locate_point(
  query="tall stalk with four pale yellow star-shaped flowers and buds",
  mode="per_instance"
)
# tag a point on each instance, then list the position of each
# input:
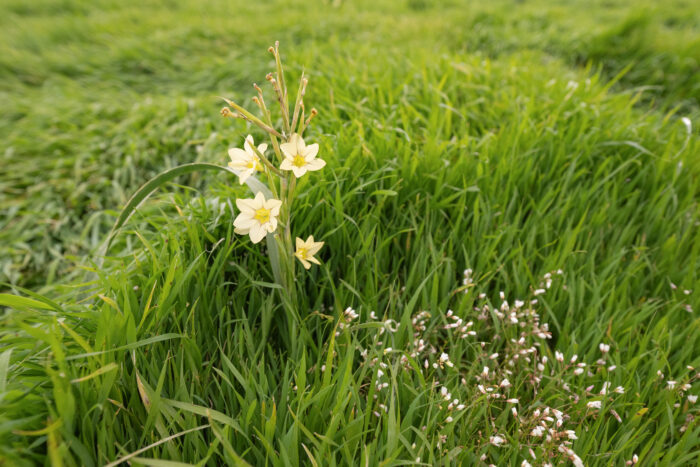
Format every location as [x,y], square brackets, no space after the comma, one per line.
[291,158]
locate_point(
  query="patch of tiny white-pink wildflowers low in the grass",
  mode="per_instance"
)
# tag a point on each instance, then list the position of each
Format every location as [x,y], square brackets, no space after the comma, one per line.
[534,397]
